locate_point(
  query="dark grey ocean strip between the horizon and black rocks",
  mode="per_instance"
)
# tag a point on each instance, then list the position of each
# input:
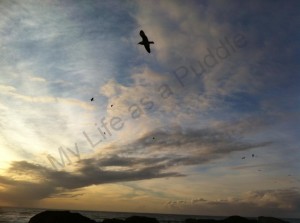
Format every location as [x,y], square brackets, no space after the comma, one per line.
[22,215]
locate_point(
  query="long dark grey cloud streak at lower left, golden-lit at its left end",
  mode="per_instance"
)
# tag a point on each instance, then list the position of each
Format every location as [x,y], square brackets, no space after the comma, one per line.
[45,182]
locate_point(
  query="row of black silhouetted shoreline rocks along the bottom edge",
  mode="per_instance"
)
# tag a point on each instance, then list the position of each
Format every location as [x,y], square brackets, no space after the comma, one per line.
[70,217]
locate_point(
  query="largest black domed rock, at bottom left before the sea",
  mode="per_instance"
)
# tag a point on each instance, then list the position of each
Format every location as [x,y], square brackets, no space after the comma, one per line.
[60,217]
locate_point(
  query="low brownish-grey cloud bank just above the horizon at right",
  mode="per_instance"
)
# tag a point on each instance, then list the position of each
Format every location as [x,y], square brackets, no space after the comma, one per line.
[276,202]
